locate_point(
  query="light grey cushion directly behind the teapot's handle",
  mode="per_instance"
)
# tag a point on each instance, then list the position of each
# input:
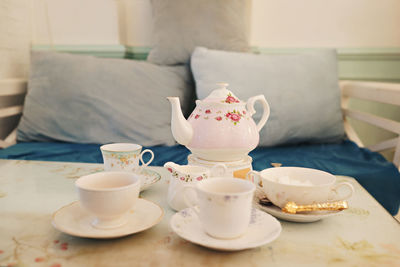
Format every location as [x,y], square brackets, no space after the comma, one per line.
[301,89]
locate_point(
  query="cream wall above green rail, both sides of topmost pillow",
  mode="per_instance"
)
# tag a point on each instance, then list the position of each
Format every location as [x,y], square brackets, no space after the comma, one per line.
[275,23]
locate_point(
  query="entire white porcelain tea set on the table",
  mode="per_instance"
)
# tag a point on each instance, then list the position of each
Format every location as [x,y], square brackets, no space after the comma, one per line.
[216,195]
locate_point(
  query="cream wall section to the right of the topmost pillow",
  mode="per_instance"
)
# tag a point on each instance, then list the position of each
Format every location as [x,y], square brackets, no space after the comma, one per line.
[326,23]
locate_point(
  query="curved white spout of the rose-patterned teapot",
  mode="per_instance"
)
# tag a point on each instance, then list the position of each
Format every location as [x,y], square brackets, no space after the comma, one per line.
[181,129]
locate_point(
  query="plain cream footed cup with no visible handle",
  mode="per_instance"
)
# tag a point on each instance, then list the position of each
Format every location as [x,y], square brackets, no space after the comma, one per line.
[108,196]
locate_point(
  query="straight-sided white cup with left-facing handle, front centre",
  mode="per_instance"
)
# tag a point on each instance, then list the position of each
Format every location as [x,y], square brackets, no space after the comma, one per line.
[223,205]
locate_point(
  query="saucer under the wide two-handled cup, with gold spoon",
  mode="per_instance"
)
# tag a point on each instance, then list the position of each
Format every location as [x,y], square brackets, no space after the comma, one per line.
[303,217]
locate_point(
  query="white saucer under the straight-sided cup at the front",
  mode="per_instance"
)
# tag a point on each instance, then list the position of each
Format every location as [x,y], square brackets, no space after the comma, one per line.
[263,229]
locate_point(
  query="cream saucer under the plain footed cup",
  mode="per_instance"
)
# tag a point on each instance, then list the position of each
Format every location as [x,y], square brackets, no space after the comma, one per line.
[73,220]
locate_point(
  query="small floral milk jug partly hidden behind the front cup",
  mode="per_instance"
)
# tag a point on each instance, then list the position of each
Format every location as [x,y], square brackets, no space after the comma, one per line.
[182,175]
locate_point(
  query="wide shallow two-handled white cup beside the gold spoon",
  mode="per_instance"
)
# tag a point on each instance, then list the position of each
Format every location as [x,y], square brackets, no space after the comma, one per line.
[302,185]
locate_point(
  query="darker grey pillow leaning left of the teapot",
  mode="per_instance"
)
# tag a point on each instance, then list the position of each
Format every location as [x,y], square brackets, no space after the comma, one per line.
[84,99]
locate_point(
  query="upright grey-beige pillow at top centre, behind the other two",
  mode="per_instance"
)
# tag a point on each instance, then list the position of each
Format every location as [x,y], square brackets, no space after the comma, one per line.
[181,25]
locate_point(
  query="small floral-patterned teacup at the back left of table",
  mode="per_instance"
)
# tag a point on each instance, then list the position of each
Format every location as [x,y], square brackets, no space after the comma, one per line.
[124,157]
